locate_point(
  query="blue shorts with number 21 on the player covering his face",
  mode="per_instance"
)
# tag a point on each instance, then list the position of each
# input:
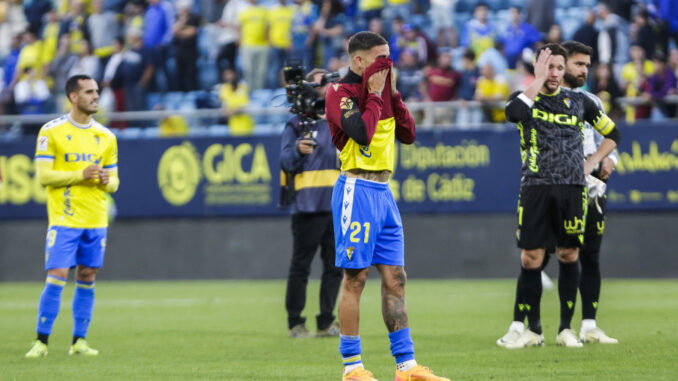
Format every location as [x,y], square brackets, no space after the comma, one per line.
[367,225]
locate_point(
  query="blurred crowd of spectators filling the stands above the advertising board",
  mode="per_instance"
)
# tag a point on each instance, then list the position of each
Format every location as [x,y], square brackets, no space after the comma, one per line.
[443,50]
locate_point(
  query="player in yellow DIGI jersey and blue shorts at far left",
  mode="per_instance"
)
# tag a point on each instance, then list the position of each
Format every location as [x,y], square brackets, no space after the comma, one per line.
[77,159]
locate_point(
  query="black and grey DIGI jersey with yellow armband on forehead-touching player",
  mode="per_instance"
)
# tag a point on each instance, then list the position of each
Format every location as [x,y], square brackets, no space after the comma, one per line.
[552,134]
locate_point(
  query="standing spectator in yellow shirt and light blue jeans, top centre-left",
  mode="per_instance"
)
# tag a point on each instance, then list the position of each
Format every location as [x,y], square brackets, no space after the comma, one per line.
[254,44]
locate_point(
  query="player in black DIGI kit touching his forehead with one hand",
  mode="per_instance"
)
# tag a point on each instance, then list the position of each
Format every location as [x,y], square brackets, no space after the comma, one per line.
[553,199]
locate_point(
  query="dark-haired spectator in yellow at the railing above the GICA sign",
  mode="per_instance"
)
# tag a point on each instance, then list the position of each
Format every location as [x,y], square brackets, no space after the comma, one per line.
[234,96]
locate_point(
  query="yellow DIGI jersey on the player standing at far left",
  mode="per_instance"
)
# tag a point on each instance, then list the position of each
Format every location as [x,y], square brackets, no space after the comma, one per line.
[73,147]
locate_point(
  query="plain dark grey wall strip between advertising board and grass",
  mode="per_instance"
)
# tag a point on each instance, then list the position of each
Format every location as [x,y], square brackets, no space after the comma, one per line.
[636,245]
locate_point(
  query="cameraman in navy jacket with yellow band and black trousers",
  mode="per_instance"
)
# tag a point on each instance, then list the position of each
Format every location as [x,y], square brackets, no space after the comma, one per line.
[309,160]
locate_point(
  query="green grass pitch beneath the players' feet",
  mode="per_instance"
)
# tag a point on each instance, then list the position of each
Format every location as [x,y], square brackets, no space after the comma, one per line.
[236,330]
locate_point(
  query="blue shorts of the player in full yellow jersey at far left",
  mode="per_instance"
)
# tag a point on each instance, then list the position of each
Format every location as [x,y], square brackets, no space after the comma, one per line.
[66,247]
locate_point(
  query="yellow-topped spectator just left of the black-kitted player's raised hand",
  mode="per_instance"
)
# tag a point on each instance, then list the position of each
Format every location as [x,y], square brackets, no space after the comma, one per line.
[491,89]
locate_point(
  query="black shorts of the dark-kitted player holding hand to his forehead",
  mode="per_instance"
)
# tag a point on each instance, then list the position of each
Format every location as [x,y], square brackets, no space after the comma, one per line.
[551,213]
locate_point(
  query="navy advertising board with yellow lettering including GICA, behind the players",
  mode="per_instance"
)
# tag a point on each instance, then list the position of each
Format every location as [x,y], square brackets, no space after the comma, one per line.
[443,172]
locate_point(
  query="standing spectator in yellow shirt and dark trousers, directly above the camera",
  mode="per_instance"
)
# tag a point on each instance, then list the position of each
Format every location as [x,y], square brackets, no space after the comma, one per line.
[280,35]
